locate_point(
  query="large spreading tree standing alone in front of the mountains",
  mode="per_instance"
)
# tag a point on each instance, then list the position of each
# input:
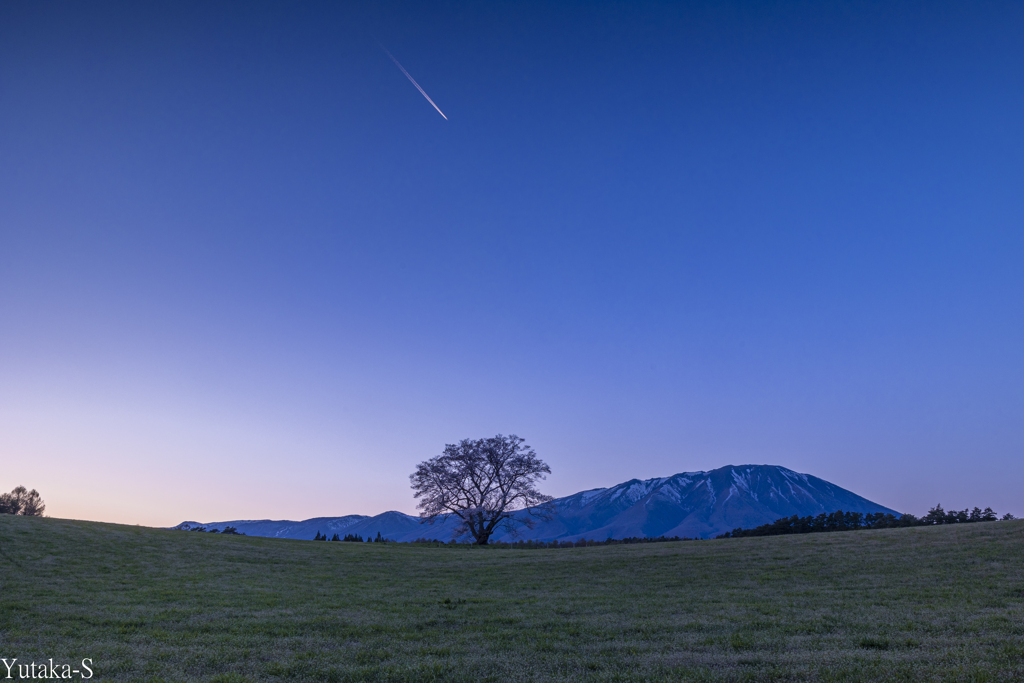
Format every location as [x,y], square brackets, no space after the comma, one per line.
[484,483]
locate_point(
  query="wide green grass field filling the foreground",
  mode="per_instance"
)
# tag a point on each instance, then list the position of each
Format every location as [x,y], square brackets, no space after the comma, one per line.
[914,605]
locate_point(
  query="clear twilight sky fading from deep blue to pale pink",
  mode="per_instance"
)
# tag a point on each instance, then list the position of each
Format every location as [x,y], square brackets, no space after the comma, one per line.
[248,272]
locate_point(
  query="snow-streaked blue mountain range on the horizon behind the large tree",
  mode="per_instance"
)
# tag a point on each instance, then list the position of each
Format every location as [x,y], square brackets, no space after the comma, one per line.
[691,504]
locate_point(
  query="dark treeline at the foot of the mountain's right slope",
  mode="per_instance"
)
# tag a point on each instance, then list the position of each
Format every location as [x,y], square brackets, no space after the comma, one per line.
[852,522]
